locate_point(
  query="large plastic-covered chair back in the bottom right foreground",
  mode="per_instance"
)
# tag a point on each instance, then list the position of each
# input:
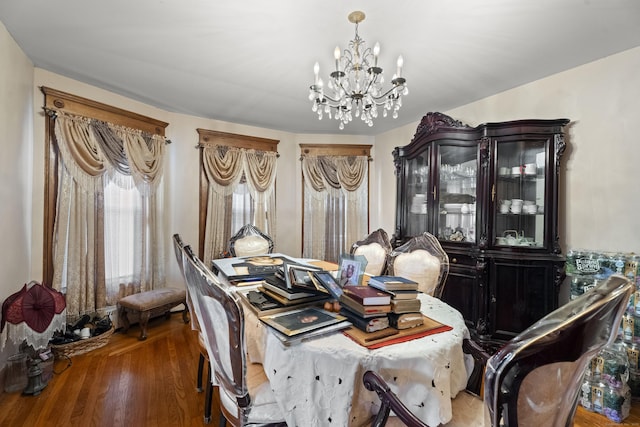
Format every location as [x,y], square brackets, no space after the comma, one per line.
[535,379]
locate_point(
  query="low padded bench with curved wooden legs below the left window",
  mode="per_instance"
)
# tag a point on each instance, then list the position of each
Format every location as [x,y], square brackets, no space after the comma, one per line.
[150,304]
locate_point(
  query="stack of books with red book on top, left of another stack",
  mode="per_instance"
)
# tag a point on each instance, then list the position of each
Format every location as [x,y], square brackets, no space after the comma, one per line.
[365,307]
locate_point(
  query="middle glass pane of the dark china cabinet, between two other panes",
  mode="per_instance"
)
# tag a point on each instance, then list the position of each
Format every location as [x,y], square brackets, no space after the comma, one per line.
[458,173]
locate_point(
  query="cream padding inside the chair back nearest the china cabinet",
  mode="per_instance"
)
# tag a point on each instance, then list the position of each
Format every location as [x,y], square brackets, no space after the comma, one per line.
[419,266]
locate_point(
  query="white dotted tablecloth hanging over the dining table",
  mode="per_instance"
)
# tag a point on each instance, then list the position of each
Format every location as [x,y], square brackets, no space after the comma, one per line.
[319,382]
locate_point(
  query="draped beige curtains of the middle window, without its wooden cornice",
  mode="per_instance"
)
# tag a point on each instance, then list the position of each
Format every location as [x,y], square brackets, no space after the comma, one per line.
[232,173]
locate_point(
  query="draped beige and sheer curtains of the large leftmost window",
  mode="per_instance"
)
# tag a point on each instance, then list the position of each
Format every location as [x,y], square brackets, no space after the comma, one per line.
[107,238]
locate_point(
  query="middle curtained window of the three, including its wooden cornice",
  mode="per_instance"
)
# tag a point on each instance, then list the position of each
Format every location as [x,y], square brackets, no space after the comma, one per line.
[237,187]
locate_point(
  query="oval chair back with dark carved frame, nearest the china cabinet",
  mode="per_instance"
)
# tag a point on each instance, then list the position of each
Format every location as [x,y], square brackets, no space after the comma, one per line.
[422,260]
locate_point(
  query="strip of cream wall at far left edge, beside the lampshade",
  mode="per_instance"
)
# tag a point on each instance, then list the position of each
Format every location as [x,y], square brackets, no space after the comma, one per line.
[16,105]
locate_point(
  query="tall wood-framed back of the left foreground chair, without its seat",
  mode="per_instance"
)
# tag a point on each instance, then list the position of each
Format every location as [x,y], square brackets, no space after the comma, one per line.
[221,319]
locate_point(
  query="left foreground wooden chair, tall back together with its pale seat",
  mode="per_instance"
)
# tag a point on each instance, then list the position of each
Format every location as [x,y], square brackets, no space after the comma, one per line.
[245,394]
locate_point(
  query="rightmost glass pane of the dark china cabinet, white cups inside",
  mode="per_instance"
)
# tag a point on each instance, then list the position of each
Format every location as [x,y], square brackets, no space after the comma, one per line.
[520,193]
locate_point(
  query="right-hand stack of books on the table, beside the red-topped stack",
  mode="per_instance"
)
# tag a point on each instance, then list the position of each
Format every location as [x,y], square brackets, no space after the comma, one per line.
[405,305]
